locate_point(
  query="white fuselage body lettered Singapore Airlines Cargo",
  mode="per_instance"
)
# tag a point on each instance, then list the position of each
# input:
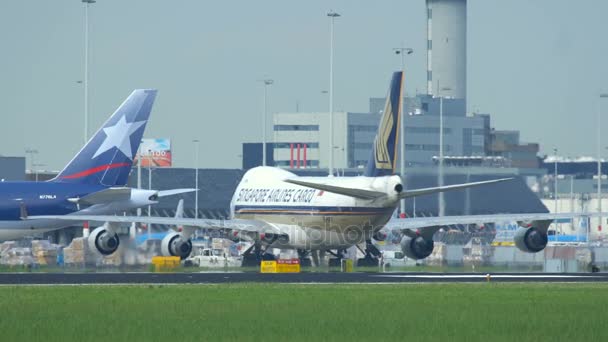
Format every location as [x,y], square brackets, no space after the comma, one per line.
[313,219]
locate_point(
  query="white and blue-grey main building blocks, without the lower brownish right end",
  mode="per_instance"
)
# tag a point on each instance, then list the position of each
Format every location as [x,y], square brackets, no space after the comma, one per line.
[355,132]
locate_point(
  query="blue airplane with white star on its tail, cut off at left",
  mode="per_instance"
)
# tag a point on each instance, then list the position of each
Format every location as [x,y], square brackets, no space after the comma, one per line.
[92,183]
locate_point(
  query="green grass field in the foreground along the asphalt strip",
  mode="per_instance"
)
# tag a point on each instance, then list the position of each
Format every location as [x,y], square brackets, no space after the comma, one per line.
[245,312]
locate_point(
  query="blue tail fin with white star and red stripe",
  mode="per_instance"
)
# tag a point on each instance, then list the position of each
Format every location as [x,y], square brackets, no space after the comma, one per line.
[107,157]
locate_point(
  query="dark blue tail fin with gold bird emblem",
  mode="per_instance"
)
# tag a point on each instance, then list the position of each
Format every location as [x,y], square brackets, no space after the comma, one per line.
[383,158]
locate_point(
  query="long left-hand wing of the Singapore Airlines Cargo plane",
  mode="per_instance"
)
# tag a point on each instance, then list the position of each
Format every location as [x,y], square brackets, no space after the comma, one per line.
[254,226]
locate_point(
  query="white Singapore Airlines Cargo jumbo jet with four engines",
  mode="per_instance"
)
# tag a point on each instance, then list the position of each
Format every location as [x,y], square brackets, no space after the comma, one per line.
[278,209]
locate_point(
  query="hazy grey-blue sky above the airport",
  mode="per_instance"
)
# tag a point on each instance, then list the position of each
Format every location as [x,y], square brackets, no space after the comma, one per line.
[535,65]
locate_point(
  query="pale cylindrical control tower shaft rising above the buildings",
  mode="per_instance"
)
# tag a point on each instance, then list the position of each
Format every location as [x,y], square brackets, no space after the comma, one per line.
[447,48]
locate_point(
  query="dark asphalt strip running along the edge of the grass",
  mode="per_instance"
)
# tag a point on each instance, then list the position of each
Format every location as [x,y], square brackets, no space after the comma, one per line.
[303,278]
